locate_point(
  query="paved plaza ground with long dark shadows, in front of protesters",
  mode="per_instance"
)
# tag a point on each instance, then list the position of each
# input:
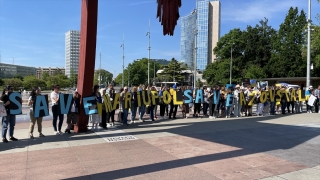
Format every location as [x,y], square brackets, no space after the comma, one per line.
[273,147]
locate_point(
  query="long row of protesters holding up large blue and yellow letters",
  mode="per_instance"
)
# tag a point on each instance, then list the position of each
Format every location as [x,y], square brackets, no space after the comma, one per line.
[209,108]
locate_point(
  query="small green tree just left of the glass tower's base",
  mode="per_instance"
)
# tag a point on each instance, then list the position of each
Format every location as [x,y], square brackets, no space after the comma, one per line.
[173,72]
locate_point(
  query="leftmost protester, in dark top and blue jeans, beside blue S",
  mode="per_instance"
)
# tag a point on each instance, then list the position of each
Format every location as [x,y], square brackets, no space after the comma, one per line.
[9,121]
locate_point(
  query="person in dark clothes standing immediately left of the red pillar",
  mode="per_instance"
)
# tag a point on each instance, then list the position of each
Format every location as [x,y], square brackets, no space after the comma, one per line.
[73,116]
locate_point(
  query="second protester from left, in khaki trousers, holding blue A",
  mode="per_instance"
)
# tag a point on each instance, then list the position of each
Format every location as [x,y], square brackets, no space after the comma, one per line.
[35,92]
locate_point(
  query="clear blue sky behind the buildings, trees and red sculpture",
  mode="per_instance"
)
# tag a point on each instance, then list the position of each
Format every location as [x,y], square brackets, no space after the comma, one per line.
[33,31]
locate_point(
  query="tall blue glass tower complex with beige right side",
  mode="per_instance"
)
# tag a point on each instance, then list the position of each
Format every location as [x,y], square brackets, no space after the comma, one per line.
[208,33]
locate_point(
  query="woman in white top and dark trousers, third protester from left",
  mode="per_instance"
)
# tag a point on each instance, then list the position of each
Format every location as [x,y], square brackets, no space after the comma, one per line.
[55,110]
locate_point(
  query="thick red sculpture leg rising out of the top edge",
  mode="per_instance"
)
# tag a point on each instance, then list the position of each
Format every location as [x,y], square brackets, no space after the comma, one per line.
[88,38]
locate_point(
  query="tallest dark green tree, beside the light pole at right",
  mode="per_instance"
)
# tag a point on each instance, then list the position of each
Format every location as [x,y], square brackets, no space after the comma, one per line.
[286,60]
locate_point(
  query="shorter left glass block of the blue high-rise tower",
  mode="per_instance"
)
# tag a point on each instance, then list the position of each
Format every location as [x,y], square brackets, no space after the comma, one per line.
[187,45]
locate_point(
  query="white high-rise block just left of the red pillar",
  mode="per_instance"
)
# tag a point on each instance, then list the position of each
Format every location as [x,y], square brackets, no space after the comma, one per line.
[72,50]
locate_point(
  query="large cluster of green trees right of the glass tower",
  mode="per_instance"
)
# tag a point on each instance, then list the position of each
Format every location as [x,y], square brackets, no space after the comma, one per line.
[261,51]
